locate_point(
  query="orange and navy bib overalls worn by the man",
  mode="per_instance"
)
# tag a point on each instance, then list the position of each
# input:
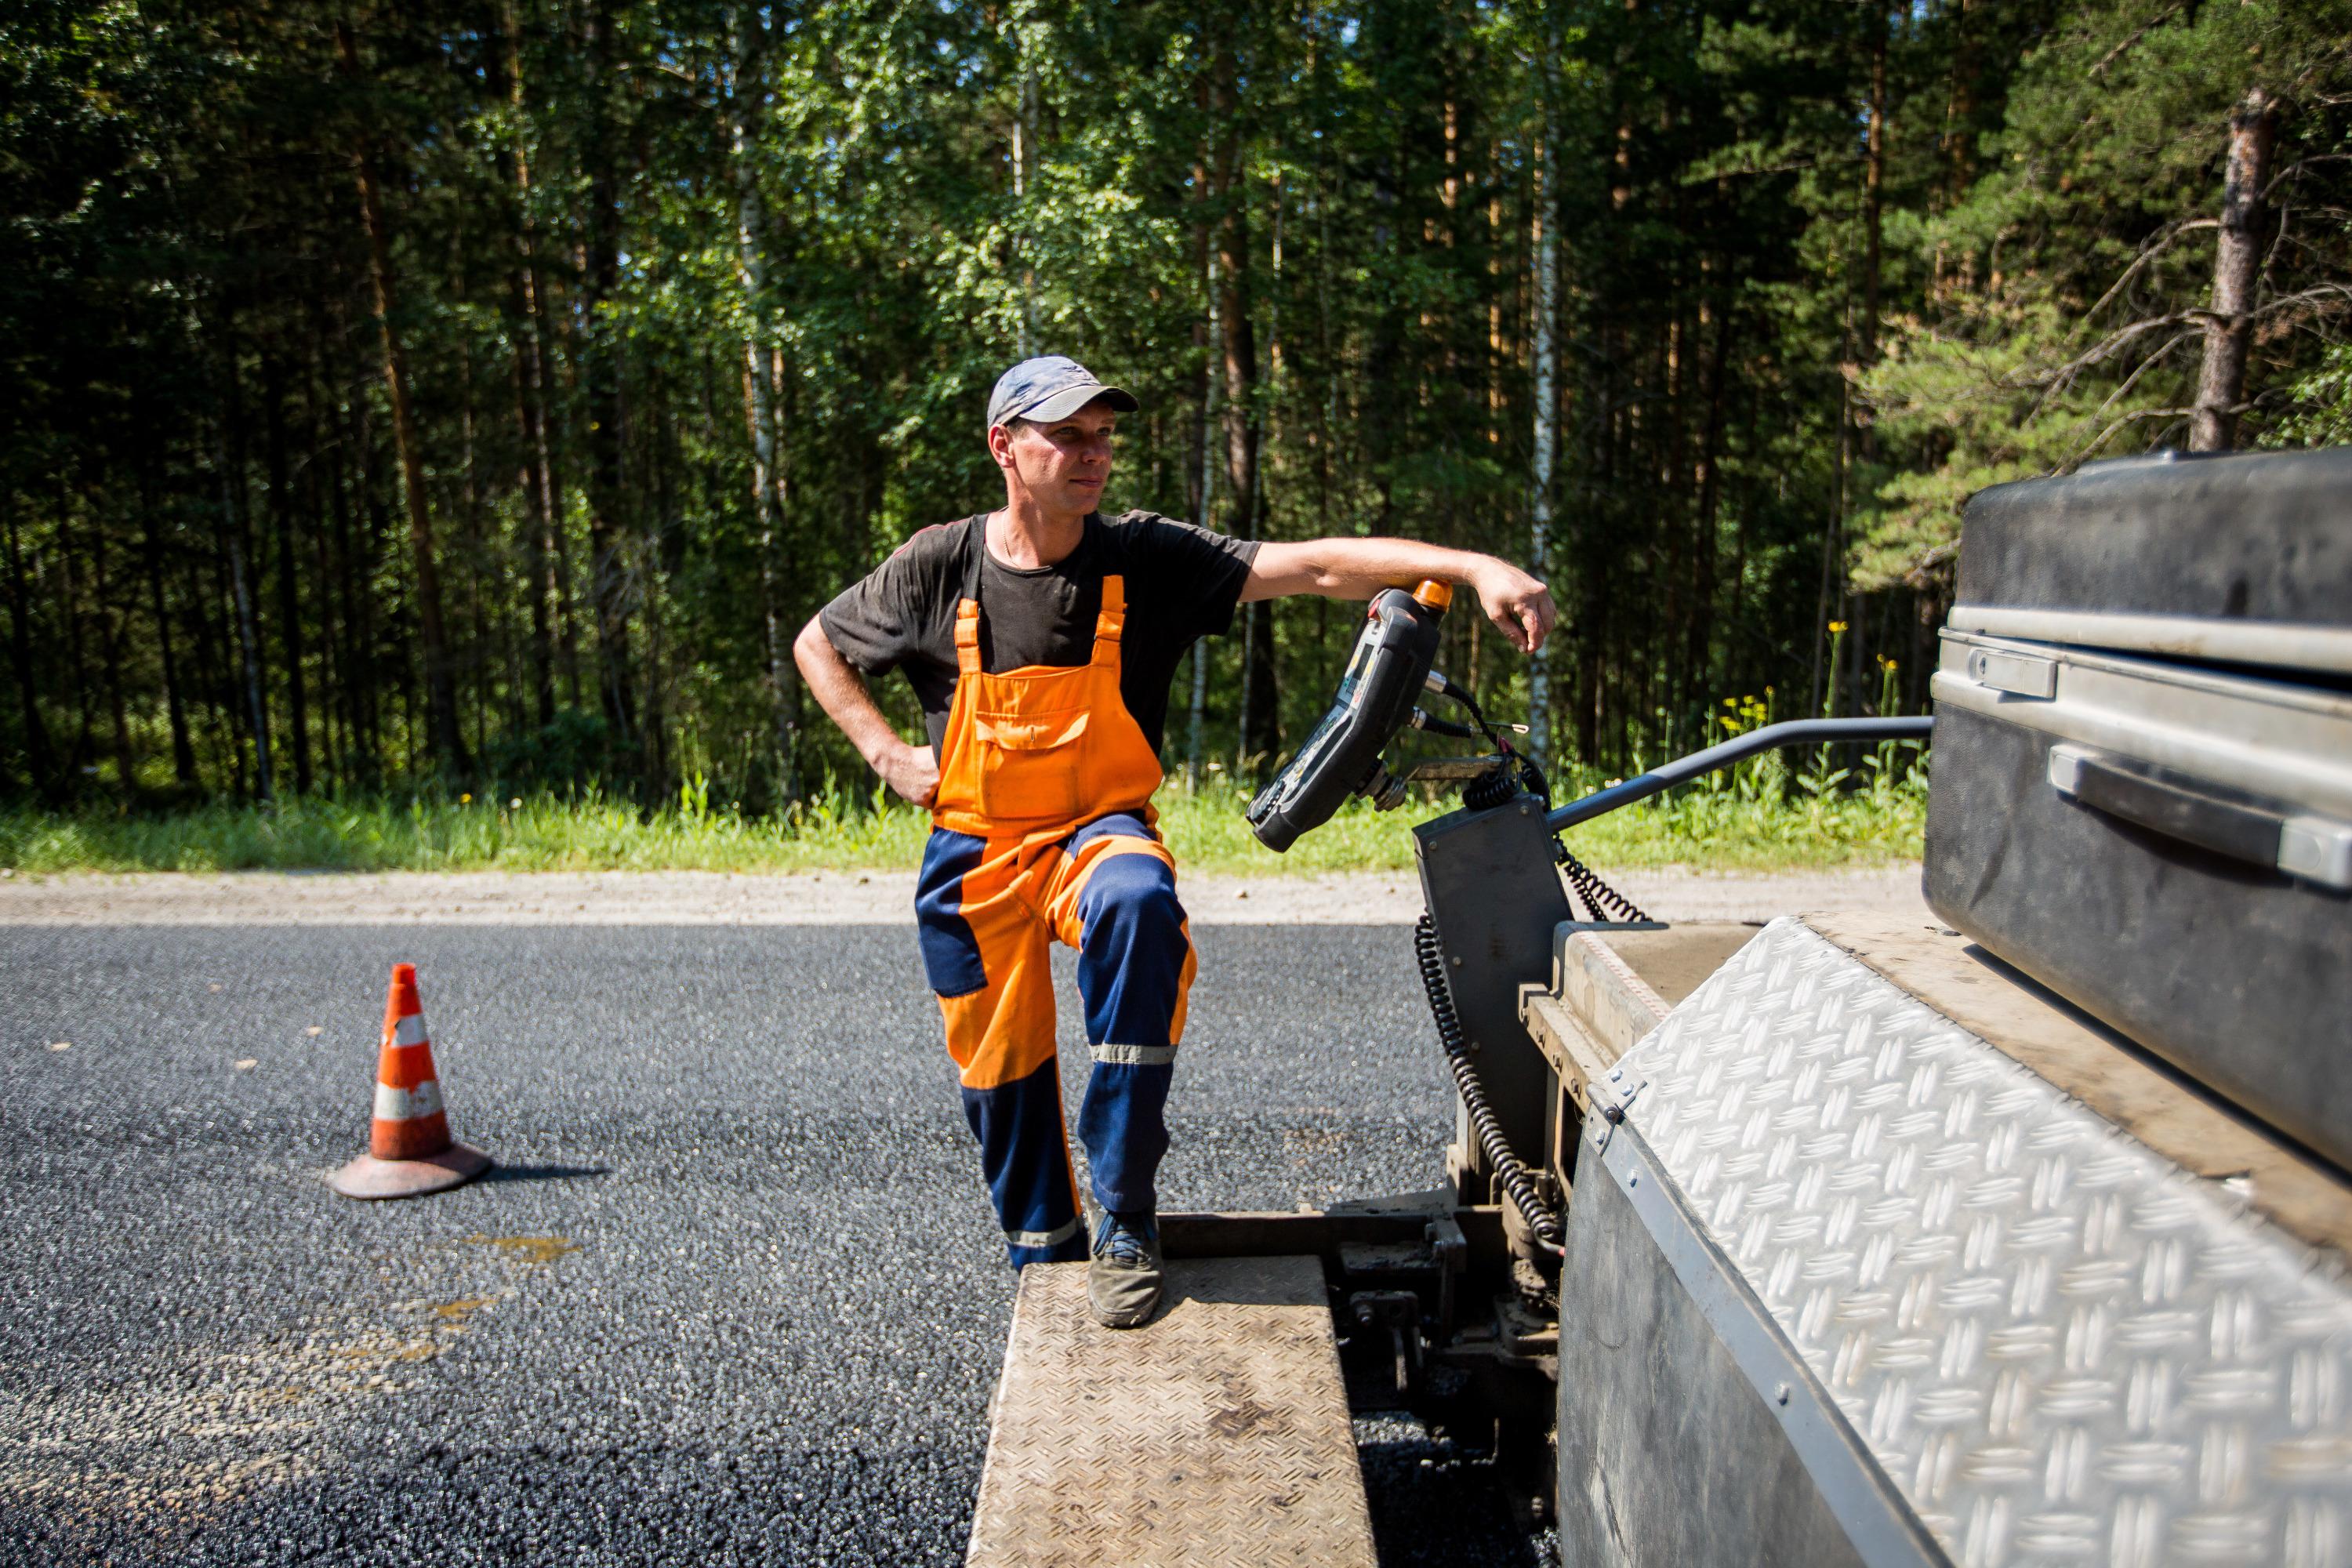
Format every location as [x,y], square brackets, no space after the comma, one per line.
[1043,831]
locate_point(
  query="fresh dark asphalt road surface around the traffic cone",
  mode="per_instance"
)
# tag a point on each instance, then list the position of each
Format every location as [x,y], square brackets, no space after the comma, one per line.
[733,1294]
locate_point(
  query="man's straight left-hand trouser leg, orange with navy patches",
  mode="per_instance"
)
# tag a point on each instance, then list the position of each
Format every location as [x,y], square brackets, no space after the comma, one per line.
[987,944]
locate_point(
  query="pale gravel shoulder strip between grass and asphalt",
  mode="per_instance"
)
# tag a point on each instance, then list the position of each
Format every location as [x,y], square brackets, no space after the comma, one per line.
[836,899]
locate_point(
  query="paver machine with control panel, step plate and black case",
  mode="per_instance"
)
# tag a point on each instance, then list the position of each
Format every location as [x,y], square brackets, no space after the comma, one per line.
[2010,1235]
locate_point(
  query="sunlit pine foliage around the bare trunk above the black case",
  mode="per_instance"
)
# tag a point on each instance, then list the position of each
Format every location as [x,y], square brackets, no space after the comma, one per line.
[2062,321]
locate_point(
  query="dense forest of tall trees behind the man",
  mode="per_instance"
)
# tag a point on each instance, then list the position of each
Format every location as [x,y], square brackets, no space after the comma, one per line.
[481,394]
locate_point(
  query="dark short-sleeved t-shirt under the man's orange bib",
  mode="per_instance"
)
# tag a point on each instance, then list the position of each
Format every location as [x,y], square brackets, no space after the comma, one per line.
[1182,584]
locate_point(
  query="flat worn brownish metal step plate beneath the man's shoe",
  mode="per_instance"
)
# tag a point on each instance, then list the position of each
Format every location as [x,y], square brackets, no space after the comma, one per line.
[1212,1435]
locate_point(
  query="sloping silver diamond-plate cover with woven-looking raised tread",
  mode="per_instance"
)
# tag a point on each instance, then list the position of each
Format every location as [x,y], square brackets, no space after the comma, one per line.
[2052,1343]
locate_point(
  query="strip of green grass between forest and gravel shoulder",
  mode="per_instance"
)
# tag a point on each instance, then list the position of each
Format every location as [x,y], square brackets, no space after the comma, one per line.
[1760,819]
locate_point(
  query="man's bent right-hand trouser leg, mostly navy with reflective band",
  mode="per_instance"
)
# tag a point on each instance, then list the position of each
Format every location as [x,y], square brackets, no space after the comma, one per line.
[1135,970]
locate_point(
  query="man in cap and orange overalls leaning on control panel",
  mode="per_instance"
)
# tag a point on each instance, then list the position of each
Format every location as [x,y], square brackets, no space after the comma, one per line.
[1041,641]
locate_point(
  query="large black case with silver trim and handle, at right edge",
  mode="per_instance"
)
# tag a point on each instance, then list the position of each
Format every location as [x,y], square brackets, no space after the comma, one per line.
[2144,800]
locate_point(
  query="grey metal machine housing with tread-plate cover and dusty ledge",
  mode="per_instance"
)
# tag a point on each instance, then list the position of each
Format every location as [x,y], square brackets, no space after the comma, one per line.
[1850,1282]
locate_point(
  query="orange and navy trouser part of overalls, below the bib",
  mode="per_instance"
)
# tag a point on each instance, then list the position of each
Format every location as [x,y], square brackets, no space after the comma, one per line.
[989,913]
